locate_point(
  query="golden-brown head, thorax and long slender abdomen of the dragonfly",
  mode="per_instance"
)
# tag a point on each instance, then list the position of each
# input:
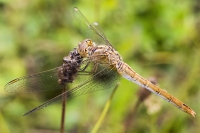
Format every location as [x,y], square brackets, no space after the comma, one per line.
[106,54]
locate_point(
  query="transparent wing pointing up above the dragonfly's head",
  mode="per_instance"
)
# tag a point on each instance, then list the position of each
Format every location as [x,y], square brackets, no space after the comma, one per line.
[91,31]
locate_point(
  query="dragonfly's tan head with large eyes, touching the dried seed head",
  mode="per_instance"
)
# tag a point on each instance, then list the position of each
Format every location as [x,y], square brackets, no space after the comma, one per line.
[84,46]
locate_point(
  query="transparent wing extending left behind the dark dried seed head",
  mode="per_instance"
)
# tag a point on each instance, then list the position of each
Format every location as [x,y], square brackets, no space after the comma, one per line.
[44,81]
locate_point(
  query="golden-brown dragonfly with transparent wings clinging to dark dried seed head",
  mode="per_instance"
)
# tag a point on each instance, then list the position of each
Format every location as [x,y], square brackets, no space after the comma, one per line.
[92,66]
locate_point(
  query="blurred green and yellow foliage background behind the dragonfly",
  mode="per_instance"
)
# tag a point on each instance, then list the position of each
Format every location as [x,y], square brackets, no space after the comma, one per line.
[156,38]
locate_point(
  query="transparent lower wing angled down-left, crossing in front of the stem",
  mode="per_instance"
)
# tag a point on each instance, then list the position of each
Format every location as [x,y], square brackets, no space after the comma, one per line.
[103,78]
